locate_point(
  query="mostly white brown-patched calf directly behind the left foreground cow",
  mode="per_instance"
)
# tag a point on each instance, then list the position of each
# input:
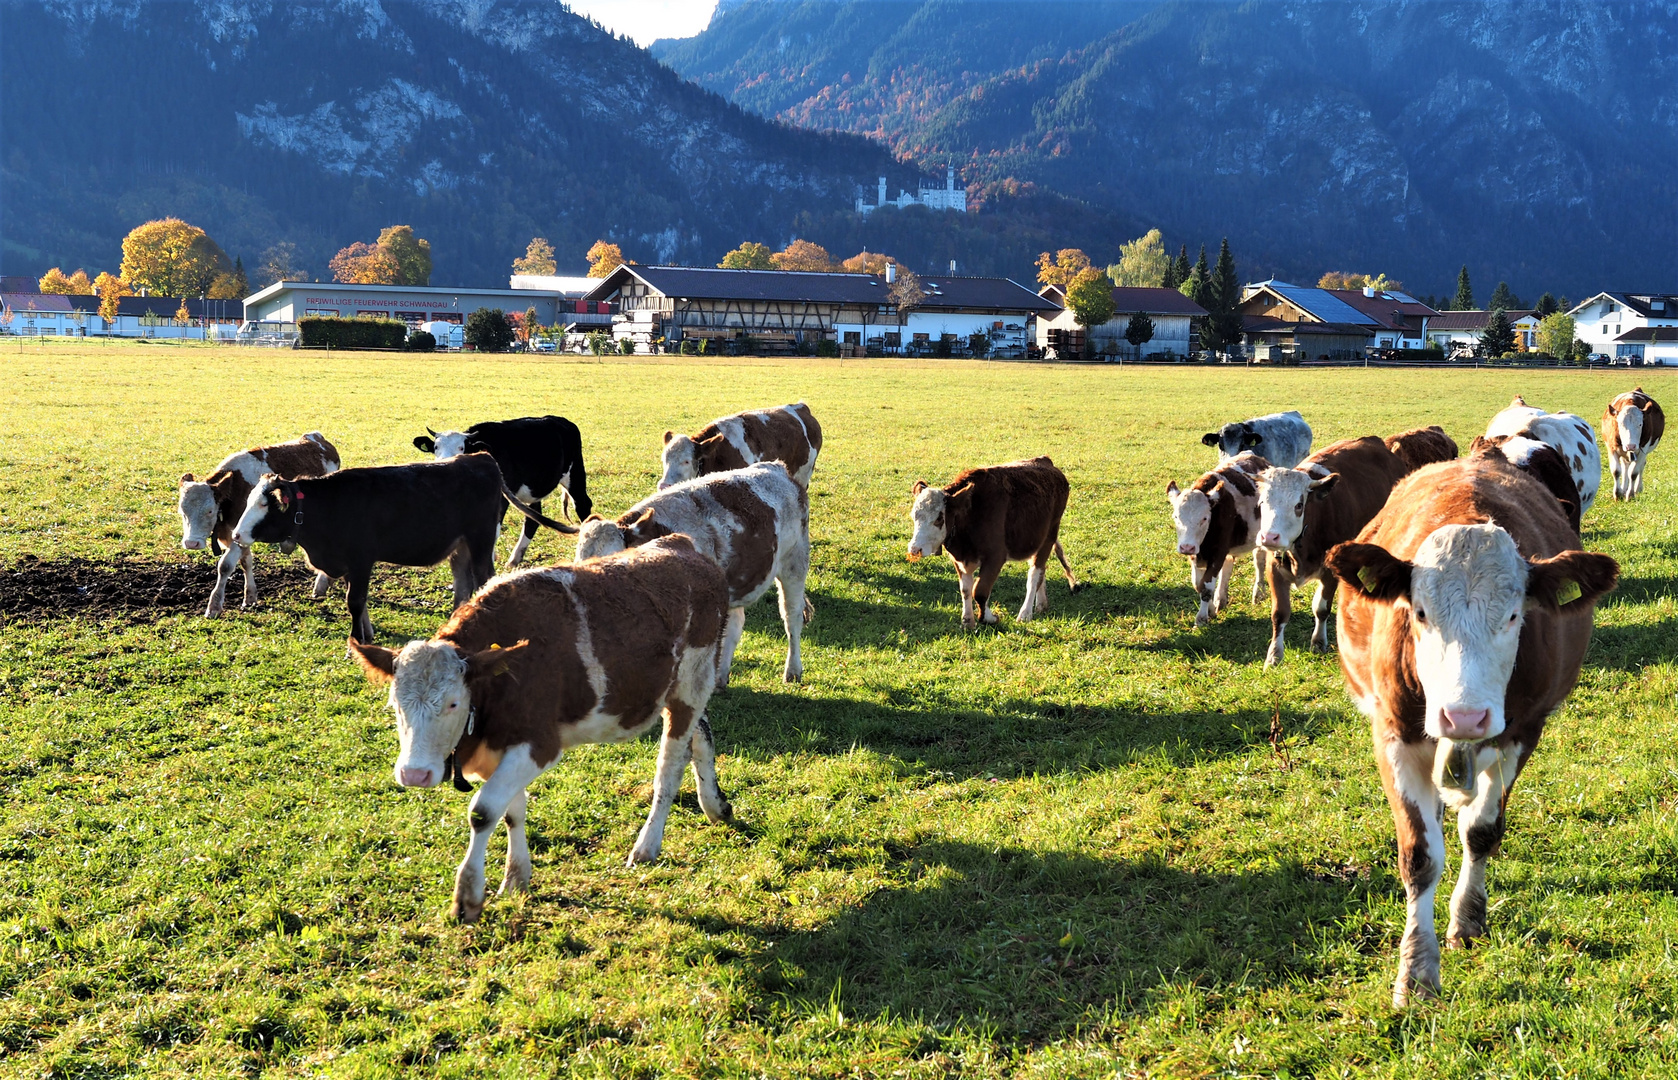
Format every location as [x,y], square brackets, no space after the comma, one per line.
[753,522]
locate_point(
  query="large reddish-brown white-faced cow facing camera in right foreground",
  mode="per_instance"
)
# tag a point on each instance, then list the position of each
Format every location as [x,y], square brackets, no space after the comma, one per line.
[1466,613]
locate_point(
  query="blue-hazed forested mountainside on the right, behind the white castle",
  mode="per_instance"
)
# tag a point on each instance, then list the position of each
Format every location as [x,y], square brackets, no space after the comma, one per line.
[1518,137]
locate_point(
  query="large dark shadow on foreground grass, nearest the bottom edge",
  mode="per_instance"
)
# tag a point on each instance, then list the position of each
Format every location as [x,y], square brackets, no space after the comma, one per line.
[1038,943]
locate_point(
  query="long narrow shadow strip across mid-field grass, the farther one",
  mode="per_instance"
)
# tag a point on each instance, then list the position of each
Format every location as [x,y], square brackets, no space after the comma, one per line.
[1018,737]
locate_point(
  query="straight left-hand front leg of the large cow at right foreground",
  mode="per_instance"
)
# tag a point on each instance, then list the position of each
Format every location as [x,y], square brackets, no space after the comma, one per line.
[1407,774]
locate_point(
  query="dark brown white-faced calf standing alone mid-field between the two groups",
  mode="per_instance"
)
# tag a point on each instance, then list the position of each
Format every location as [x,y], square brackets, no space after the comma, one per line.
[989,517]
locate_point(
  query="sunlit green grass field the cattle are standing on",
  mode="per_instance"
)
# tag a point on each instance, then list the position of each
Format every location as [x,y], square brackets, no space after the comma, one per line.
[1060,849]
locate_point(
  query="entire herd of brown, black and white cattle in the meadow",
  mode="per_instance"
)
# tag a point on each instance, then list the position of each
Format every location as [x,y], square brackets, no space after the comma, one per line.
[1466,603]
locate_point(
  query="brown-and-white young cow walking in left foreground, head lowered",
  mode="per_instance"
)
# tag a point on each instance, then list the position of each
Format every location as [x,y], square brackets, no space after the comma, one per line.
[546,660]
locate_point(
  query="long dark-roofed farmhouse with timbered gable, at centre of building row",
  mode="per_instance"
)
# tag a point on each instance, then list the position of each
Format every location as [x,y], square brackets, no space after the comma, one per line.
[784,309]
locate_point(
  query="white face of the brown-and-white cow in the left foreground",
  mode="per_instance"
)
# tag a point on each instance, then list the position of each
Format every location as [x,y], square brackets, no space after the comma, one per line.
[432,707]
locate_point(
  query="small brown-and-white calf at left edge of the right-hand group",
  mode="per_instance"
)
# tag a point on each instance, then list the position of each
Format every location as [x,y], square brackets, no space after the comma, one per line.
[1217,522]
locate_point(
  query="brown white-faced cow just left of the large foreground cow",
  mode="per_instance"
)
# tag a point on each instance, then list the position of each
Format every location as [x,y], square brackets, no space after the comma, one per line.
[1305,512]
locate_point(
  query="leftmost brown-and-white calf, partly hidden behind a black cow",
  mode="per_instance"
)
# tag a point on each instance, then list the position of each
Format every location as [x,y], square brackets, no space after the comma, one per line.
[211,507]
